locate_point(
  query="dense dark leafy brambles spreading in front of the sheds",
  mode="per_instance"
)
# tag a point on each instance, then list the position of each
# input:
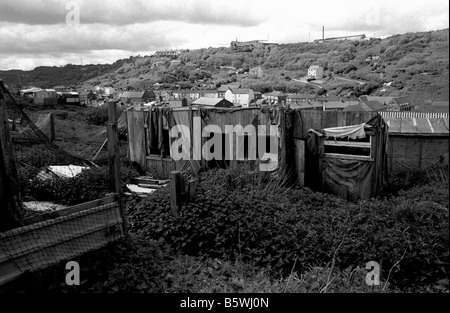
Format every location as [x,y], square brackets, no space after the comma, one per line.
[279,227]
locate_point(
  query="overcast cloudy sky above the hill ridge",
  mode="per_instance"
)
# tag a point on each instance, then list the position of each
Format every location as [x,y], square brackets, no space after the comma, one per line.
[57,32]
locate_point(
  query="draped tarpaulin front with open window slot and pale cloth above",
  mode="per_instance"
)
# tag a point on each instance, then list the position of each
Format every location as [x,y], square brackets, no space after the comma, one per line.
[351,175]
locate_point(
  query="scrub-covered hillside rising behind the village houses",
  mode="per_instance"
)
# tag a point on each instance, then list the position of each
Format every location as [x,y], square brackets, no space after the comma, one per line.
[413,63]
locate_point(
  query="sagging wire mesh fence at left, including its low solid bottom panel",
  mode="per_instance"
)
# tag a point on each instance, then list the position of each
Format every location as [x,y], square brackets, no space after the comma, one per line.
[52,231]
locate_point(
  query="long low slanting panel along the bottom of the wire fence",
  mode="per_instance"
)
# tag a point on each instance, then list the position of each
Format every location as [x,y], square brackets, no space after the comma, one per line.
[46,243]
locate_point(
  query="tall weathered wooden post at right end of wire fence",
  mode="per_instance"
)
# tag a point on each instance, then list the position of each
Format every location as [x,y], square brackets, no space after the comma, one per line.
[114,159]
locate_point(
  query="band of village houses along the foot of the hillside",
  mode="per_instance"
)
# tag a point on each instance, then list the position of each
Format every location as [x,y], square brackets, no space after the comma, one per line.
[237,96]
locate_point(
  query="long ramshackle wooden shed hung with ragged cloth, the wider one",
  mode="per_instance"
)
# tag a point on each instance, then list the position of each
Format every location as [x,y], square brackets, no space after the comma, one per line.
[150,143]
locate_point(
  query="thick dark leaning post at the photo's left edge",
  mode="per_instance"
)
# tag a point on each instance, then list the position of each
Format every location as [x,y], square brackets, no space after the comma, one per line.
[11,213]
